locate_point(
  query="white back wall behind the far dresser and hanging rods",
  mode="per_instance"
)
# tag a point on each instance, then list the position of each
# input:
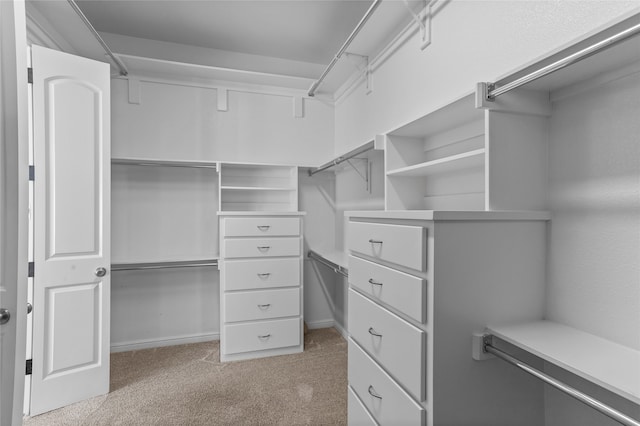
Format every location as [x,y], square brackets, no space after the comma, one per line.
[170,213]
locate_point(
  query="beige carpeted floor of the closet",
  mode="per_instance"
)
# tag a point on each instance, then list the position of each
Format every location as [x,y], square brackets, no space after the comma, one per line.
[187,385]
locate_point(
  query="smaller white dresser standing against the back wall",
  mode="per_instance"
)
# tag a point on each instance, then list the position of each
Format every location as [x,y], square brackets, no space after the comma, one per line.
[261,292]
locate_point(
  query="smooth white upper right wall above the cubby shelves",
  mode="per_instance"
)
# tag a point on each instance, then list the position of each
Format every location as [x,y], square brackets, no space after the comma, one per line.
[472,41]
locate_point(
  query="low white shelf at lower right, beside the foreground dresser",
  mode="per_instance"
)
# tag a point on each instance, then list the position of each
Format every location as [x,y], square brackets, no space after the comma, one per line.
[605,363]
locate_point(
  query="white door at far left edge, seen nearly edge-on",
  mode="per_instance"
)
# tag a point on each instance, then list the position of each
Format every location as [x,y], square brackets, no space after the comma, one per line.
[14,194]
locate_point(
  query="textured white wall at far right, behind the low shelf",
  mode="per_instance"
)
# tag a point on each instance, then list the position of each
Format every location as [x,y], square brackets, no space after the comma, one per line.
[594,250]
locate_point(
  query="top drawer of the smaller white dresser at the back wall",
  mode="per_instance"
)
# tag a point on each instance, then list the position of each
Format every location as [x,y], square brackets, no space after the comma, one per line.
[261,226]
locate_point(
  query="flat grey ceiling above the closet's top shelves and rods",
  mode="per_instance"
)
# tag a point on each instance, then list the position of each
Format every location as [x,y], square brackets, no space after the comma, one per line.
[301,30]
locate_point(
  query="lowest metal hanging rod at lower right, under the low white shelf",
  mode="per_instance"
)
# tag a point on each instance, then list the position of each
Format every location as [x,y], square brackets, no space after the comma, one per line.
[582,397]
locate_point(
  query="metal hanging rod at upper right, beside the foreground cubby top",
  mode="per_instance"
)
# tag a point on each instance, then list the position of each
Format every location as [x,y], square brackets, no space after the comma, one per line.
[493,92]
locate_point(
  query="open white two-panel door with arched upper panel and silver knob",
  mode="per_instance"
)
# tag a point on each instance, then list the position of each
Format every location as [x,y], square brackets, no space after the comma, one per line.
[71,133]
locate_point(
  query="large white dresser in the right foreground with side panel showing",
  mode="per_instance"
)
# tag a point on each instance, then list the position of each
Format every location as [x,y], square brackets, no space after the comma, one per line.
[421,282]
